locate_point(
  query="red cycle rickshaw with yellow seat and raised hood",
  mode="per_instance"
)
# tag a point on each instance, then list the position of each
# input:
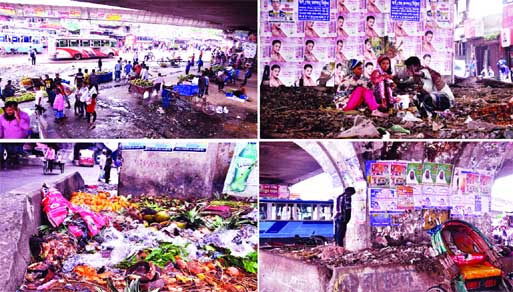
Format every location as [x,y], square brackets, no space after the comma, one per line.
[468,258]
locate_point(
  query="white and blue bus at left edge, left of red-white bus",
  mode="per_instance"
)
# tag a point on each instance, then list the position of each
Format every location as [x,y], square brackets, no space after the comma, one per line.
[19,42]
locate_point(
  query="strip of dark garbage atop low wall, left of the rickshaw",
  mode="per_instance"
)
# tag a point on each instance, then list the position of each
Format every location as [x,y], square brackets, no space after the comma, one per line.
[421,256]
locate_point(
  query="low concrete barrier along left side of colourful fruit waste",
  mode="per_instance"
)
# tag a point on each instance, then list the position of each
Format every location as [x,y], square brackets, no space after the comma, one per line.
[22,215]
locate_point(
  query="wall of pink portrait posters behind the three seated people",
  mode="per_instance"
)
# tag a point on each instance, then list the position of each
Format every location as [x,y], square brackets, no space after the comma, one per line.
[305,40]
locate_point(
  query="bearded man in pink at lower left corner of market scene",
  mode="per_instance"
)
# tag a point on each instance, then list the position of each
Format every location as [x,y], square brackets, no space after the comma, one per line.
[14,123]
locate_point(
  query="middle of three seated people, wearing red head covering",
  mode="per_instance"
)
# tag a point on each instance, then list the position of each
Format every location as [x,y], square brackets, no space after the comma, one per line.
[383,83]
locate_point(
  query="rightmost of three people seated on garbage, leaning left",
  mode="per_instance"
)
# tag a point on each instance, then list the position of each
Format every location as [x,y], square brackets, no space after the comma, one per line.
[434,94]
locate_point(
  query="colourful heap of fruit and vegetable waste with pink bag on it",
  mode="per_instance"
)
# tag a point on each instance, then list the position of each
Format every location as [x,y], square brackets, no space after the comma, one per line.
[102,242]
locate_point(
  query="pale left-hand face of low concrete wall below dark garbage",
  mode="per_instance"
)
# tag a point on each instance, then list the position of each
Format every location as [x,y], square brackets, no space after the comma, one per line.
[281,274]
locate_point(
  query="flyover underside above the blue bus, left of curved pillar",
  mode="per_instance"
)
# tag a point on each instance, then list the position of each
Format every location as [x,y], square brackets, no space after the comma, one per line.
[285,163]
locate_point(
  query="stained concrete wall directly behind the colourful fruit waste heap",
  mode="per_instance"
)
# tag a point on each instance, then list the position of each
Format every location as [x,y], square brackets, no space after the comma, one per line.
[188,175]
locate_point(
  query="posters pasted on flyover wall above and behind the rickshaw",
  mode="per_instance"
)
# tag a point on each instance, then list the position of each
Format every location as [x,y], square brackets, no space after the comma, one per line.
[406,199]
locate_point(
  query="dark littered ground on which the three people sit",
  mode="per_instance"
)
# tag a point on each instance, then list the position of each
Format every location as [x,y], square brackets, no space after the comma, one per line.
[483,109]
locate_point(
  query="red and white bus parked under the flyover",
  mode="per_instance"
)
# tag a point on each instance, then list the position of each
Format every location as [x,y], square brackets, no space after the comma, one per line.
[80,47]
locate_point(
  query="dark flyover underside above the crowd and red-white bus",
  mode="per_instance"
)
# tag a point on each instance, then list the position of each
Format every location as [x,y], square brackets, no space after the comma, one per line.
[239,14]
